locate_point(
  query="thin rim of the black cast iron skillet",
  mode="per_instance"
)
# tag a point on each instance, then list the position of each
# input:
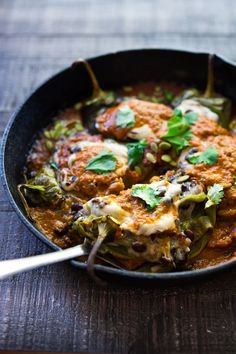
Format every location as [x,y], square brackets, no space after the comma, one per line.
[172,276]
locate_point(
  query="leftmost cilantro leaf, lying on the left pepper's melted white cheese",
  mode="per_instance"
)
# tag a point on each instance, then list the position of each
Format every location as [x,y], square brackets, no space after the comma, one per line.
[102,163]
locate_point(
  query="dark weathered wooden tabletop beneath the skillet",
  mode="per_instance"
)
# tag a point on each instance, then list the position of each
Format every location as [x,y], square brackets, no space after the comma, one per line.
[58,308]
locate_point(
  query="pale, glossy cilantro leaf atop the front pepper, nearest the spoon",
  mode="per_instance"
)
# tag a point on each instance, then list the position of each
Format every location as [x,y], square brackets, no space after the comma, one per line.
[148,194]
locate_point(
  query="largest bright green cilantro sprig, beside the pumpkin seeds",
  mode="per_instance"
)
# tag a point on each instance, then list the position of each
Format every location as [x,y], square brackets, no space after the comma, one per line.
[179,133]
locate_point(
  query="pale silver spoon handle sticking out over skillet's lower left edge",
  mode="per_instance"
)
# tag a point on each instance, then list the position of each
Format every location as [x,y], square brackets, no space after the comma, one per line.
[14,266]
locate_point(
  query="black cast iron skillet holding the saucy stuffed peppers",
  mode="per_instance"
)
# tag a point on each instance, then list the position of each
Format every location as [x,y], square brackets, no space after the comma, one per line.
[69,86]
